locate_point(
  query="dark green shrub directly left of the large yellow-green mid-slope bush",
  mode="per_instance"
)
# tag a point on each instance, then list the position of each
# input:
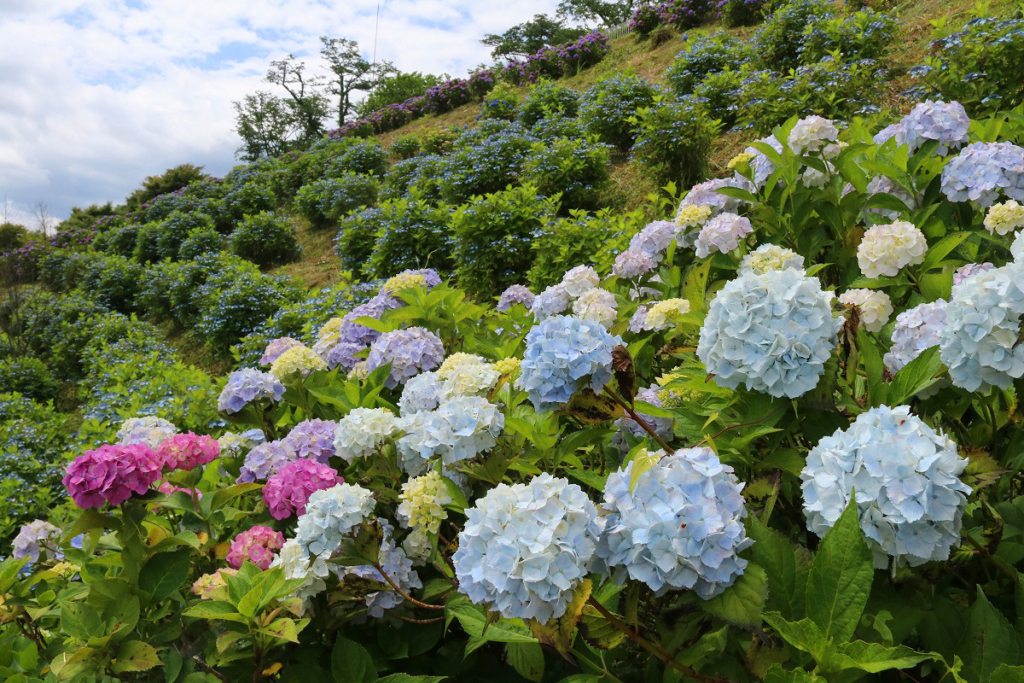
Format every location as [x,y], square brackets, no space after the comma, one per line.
[411,234]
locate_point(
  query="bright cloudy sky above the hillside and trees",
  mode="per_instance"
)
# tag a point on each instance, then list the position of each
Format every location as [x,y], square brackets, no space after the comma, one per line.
[98,95]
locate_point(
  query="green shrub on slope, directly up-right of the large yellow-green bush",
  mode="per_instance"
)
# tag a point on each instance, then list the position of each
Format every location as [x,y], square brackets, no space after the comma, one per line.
[576,168]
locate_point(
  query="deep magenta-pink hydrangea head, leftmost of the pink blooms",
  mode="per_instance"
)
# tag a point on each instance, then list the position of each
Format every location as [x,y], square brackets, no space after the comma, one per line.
[112,475]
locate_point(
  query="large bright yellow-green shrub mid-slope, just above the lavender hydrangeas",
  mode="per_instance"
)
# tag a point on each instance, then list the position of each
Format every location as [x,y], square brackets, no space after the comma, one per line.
[494,237]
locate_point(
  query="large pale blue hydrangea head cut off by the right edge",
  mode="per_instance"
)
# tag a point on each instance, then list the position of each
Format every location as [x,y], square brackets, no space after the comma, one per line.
[983,328]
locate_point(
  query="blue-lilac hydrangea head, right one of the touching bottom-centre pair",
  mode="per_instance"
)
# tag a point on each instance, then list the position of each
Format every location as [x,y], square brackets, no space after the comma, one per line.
[681,527]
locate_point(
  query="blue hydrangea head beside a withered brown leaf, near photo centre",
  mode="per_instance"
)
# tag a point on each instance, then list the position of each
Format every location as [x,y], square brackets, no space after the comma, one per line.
[565,355]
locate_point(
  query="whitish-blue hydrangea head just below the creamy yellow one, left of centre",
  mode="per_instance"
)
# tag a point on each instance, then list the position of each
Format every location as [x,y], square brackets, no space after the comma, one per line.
[459,430]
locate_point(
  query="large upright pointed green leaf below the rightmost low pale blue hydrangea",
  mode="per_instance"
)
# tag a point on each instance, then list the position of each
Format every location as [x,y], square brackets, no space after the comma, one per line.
[841,578]
